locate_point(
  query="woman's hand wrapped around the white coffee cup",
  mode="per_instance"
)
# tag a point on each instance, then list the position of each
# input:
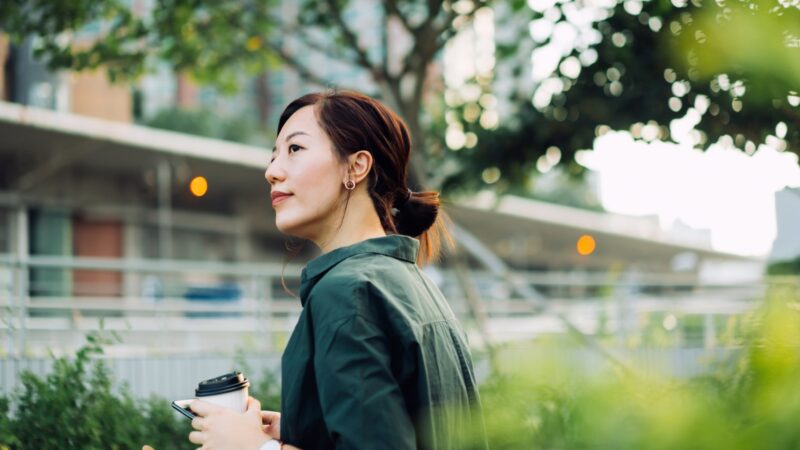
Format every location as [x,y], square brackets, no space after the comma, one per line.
[219,428]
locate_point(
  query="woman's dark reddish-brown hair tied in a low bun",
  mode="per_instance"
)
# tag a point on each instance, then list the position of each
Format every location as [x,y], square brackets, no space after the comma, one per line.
[355,122]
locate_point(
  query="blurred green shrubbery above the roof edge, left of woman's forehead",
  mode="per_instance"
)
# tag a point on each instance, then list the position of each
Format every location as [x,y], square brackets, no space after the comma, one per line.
[205,122]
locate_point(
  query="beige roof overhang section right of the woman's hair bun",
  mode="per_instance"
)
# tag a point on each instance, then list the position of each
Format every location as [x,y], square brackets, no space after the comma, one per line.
[537,234]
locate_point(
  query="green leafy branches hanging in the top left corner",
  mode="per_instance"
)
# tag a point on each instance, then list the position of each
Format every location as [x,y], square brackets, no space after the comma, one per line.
[214,40]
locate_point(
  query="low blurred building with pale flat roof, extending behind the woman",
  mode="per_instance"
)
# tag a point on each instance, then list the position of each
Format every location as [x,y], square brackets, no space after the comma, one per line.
[97,220]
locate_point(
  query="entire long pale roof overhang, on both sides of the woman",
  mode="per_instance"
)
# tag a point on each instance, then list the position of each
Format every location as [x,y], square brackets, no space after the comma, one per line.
[526,232]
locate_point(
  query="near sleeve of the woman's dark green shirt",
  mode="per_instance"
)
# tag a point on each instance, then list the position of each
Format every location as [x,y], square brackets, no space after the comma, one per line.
[362,403]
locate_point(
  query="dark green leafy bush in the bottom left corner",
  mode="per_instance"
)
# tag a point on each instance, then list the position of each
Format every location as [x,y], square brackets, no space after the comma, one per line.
[75,407]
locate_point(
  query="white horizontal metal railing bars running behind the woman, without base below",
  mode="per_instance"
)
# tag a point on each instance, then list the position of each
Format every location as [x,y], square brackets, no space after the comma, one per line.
[168,306]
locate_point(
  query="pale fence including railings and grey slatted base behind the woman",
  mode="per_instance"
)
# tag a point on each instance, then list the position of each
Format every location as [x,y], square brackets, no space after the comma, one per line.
[166,310]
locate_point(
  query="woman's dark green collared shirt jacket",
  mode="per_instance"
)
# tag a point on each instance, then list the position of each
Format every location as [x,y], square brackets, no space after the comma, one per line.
[377,359]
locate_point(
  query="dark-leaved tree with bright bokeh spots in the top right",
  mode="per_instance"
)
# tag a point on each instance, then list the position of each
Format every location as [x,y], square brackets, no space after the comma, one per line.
[729,70]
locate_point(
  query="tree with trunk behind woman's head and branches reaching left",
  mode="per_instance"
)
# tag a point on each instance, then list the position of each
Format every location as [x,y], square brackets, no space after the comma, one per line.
[216,41]
